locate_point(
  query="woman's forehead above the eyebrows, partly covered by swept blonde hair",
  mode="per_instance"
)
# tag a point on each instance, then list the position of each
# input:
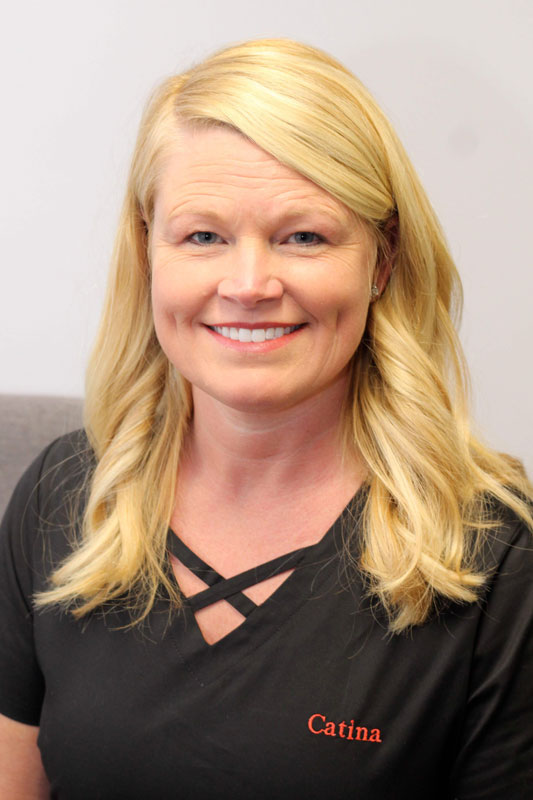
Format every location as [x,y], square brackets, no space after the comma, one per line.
[218,164]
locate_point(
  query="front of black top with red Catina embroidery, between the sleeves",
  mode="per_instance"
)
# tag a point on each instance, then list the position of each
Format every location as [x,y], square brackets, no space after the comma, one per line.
[307,698]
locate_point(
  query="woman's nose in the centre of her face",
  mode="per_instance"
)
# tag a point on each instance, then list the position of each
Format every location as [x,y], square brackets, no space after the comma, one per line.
[250,279]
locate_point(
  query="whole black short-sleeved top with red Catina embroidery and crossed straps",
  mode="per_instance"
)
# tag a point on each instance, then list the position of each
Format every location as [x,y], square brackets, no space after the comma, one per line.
[310,697]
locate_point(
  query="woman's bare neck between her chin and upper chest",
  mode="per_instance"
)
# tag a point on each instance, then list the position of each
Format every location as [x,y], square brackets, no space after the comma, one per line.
[284,451]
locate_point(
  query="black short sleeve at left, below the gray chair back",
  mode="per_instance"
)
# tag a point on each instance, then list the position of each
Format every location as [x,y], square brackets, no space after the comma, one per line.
[21,680]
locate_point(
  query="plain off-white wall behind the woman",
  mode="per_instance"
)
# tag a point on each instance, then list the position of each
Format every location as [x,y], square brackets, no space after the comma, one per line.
[454,77]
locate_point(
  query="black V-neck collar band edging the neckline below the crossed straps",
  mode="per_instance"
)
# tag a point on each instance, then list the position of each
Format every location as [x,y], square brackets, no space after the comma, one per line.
[317,567]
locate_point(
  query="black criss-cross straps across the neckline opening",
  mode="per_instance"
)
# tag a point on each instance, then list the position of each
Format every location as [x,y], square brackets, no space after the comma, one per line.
[229,589]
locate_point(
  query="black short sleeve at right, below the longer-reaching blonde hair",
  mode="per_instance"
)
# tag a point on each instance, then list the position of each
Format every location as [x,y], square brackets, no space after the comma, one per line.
[496,753]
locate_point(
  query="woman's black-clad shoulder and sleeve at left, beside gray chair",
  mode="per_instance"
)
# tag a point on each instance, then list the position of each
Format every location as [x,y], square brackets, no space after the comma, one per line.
[34,538]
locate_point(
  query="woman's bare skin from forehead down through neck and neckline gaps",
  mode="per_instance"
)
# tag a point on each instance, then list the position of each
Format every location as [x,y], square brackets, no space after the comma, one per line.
[229,247]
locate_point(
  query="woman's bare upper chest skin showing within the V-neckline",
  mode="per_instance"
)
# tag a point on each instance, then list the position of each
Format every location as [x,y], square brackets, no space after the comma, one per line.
[236,540]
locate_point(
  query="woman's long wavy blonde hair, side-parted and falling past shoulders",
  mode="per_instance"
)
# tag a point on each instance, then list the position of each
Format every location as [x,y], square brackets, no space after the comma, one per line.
[429,479]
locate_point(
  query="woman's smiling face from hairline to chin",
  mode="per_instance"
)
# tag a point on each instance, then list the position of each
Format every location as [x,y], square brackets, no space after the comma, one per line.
[260,279]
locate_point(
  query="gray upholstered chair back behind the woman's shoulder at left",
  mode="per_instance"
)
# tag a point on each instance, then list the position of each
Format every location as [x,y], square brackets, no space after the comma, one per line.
[27,424]
